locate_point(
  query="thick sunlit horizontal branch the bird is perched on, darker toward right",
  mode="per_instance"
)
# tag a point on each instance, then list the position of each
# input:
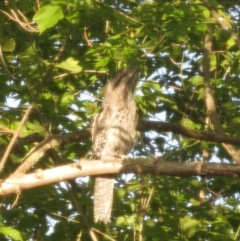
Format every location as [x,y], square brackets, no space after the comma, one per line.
[19,181]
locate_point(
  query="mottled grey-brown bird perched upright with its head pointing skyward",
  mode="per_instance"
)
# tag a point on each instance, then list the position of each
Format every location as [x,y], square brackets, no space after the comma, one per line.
[114,134]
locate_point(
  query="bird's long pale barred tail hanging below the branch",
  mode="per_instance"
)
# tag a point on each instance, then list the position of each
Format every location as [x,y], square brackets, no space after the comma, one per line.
[103,198]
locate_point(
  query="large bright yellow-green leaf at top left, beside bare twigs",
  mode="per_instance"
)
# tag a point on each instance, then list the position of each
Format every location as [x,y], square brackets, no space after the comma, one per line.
[48,16]
